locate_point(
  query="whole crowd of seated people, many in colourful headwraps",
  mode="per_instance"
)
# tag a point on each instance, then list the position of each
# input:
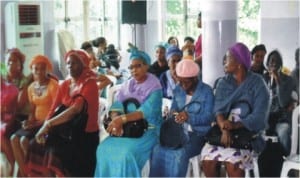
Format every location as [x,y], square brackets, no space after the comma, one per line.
[28,110]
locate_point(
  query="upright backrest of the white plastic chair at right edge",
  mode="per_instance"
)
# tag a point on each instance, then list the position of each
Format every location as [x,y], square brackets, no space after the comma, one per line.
[295,130]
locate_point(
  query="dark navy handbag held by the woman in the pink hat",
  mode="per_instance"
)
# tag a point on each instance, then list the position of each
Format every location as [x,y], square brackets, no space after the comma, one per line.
[172,134]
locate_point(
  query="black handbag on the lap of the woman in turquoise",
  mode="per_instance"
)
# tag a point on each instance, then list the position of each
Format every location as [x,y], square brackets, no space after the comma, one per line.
[133,129]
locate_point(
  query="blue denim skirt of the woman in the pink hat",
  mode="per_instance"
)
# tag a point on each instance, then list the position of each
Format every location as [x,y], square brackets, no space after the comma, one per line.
[166,162]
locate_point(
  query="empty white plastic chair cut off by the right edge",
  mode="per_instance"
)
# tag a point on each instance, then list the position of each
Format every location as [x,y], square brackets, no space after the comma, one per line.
[293,160]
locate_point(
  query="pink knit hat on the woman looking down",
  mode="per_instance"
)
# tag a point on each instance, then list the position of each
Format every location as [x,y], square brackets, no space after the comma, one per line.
[187,68]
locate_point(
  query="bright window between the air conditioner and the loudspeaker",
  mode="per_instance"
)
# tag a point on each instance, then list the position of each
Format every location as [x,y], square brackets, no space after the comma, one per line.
[88,19]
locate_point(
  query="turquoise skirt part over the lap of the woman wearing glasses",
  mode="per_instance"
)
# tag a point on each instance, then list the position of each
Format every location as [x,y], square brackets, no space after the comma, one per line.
[124,156]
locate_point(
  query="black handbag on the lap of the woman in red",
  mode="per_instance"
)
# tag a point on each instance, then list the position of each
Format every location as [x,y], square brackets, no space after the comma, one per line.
[72,128]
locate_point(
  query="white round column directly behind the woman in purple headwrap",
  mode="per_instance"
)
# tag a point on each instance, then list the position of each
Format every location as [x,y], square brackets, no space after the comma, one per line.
[219,24]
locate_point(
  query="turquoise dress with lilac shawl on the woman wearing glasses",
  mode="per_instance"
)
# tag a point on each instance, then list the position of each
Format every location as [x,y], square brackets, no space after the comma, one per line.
[125,157]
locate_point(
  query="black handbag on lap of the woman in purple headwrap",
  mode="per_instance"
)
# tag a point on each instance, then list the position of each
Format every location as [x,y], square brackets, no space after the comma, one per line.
[241,138]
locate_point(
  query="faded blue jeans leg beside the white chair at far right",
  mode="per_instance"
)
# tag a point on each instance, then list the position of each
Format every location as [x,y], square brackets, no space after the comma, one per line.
[283,131]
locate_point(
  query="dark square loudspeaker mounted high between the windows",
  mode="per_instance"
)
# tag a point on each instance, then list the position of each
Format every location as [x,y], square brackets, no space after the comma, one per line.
[134,12]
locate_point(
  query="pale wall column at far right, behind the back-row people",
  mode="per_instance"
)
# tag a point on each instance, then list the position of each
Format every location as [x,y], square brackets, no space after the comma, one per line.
[280,28]
